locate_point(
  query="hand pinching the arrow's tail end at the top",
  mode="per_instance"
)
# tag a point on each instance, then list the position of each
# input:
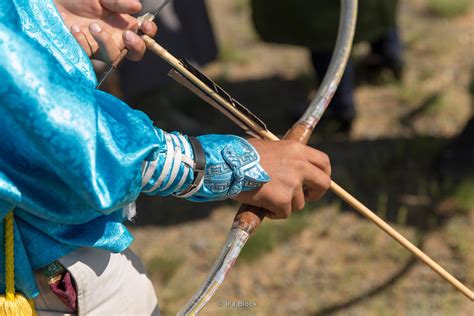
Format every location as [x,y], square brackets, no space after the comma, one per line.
[104,27]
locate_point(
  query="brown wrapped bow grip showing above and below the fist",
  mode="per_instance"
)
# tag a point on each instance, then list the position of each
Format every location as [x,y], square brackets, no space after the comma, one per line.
[248,218]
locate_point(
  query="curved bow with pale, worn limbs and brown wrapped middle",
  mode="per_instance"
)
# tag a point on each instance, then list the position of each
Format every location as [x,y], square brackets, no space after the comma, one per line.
[248,217]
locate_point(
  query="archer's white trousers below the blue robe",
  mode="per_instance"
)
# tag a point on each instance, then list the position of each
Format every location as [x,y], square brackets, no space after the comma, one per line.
[107,284]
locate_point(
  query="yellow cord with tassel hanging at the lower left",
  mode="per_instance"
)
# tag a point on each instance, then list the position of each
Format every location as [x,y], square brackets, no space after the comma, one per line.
[12,304]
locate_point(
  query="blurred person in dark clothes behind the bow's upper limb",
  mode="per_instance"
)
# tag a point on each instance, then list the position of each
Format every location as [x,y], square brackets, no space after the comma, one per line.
[314,24]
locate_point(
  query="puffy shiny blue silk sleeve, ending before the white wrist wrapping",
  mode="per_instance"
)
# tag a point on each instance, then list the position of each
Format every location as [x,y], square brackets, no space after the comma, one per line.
[63,134]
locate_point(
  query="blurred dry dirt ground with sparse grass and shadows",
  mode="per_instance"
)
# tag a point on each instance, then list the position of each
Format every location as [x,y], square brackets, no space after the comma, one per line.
[329,260]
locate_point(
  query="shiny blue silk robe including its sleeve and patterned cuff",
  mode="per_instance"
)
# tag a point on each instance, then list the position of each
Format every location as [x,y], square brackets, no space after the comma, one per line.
[72,157]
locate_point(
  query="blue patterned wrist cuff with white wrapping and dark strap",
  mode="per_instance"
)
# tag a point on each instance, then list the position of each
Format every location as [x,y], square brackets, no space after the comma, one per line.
[208,168]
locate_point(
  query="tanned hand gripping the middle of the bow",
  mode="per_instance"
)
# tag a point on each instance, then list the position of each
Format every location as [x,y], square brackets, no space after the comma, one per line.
[291,167]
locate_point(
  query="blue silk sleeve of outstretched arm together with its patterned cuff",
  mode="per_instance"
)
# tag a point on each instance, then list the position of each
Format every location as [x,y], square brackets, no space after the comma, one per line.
[92,145]
